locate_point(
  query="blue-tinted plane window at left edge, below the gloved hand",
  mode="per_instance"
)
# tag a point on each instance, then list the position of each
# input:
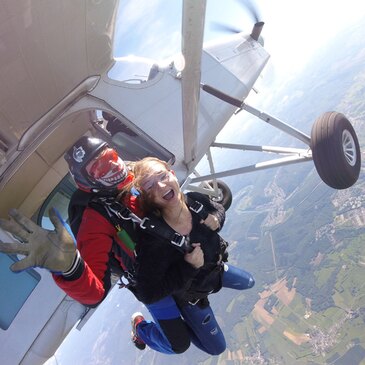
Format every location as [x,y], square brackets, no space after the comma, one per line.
[15,289]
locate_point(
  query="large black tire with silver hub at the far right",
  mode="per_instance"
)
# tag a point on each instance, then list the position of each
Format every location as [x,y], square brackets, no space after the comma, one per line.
[335,150]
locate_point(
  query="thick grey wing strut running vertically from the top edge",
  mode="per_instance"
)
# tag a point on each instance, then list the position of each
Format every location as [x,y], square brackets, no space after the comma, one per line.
[192,44]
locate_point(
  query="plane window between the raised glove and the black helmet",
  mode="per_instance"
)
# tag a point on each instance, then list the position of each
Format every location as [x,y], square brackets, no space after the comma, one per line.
[59,199]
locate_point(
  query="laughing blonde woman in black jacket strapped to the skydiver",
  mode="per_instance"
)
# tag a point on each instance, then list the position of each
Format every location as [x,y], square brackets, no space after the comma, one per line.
[173,280]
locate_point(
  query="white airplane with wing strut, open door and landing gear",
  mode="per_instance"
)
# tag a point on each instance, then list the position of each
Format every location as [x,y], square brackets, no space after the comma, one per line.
[56,66]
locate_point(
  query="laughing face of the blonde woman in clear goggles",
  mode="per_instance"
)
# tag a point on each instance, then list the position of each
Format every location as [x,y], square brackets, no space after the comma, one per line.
[160,185]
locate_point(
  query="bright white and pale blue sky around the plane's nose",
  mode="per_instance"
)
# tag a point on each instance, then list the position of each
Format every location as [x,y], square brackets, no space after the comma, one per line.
[294,30]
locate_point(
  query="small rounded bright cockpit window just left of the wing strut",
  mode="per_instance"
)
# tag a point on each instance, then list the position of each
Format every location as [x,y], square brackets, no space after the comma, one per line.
[133,70]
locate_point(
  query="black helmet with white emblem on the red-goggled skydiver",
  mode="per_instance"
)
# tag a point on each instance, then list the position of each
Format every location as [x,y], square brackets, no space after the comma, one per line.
[79,155]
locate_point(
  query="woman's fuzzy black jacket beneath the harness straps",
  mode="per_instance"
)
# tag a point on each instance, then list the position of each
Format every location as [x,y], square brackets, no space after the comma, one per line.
[161,269]
